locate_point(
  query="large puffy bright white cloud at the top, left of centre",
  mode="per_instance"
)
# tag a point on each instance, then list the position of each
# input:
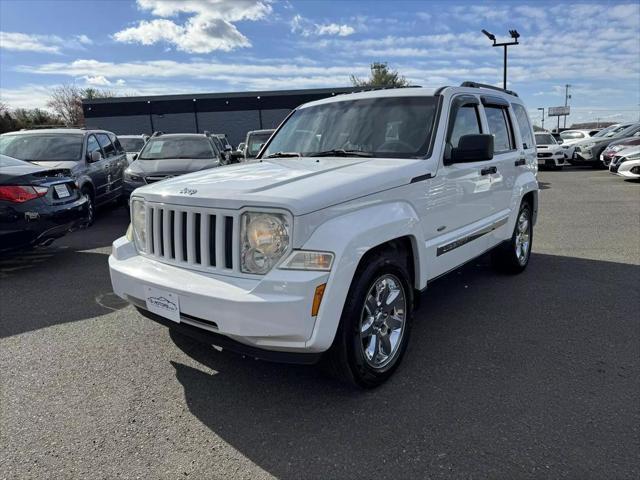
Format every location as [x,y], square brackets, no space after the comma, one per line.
[210,26]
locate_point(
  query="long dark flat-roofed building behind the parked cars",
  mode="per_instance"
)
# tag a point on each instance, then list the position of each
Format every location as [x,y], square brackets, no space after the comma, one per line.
[231,113]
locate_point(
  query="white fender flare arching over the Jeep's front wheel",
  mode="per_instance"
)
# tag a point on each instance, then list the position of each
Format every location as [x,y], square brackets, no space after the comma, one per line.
[350,237]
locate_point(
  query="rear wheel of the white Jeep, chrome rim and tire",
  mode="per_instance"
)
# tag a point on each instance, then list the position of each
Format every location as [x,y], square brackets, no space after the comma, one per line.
[513,255]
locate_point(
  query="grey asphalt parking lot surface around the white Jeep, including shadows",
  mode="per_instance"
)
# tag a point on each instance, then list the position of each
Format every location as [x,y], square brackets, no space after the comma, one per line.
[534,376]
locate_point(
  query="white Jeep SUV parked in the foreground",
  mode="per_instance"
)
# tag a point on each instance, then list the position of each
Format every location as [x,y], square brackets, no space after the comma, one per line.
[321,246]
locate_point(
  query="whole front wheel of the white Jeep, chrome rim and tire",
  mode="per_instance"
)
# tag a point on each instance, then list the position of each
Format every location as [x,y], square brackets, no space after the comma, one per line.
[375,324]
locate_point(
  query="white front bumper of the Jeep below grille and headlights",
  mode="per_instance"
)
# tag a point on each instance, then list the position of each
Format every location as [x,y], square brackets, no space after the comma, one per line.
[271,313]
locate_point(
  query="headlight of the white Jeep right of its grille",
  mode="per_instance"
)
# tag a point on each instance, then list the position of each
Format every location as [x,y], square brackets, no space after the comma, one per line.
[265,239]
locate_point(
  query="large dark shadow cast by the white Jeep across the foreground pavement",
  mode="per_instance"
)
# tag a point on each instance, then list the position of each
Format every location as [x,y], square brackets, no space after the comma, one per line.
[506,377]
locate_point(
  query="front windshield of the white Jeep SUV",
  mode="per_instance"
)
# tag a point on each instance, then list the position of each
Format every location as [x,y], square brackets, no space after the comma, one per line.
[393,127]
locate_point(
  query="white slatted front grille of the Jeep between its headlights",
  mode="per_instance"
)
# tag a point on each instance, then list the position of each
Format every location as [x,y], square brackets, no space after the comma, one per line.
[199,238]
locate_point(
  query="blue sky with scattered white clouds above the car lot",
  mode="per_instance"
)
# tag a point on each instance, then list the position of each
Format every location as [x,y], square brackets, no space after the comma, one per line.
[155,47]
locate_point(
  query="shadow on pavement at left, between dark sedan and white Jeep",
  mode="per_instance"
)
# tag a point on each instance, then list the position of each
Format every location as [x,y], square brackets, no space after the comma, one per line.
[61,283]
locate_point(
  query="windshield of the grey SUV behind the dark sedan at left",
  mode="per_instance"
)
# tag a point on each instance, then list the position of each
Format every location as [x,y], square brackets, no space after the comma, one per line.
[42,147]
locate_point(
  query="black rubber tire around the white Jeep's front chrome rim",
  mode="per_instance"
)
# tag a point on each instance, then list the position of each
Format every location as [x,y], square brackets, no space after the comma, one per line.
[346,357]
